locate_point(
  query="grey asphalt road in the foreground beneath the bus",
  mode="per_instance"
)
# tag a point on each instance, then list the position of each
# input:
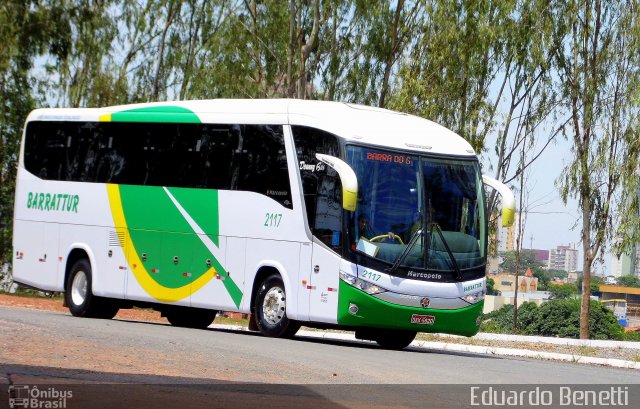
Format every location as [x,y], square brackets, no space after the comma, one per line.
[233,368]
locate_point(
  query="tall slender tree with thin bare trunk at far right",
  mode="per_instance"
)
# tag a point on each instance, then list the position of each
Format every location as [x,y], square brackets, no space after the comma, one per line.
[597,74]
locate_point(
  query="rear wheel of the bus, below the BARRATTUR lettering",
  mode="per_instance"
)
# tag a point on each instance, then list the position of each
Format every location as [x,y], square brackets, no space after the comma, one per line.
[79,297]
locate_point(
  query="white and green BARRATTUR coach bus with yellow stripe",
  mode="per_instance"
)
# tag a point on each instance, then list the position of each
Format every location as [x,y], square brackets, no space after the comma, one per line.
[297,212]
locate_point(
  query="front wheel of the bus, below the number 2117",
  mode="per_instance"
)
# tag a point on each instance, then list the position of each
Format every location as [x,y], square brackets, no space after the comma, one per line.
[273,322]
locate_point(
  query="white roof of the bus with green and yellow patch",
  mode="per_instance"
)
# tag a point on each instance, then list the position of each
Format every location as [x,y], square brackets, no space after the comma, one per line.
[356,123]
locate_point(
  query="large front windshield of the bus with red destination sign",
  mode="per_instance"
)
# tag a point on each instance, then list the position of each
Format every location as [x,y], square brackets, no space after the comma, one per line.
[418,212]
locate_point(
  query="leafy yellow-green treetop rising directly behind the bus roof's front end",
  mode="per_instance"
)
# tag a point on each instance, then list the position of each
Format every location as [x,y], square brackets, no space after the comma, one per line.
[456,59]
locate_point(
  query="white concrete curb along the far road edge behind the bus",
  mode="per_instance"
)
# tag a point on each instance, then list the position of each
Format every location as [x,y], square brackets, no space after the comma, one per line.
[475,349]
